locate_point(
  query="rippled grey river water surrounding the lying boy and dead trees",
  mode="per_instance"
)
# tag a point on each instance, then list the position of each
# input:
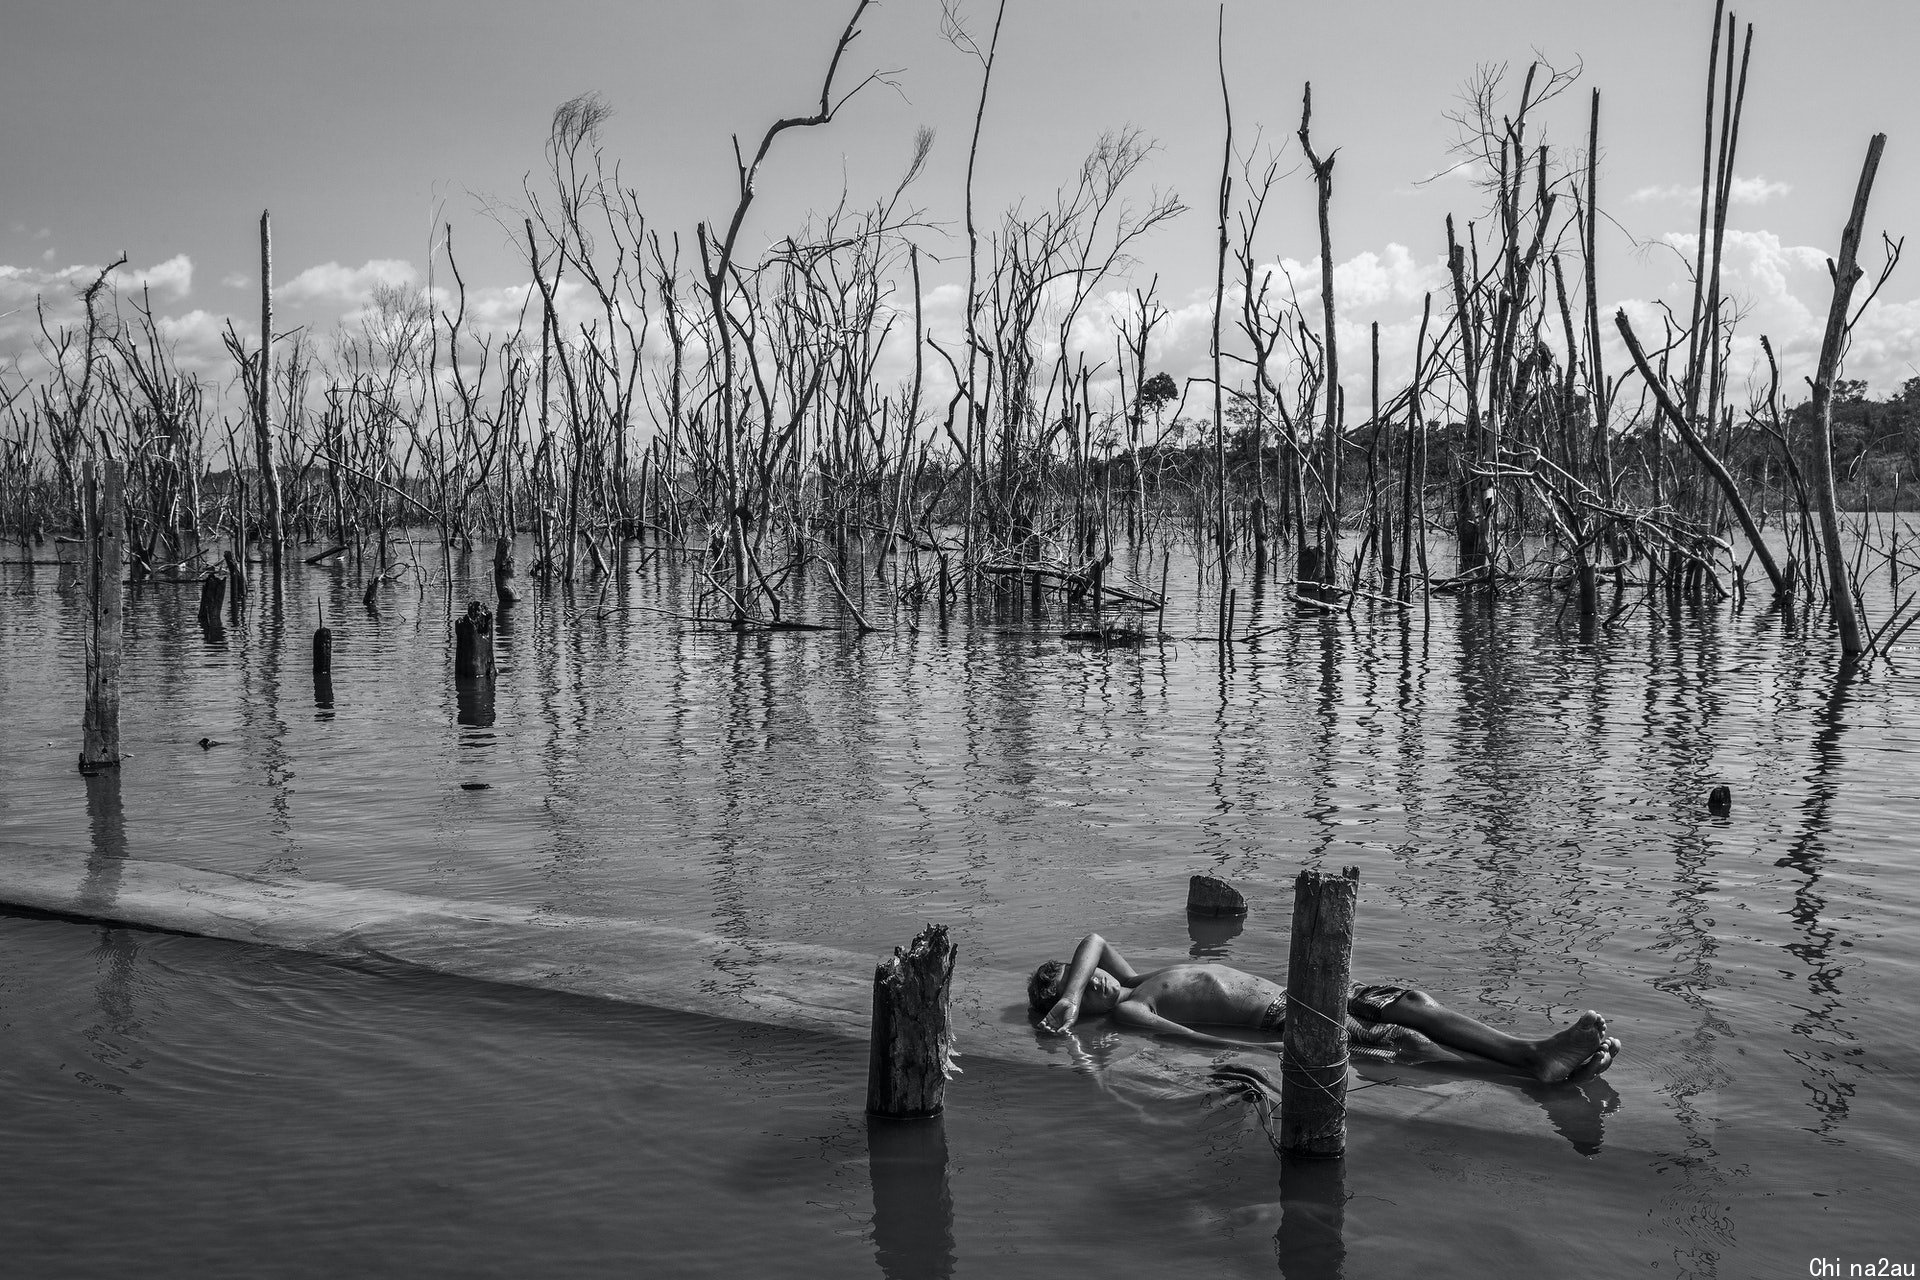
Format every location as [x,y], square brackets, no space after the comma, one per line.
[1525,807]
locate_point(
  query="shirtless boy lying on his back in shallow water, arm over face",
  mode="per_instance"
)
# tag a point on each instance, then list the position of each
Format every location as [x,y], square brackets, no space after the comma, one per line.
[1170,1001]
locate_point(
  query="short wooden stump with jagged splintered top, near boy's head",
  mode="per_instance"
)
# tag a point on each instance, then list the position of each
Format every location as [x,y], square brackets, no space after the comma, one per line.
[911,1047]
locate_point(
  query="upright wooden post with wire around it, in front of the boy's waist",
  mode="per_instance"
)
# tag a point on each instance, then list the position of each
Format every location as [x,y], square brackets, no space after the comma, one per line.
[1318,964]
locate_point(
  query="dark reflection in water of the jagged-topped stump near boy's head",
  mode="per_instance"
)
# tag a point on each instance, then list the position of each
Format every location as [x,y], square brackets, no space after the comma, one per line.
[913,1202]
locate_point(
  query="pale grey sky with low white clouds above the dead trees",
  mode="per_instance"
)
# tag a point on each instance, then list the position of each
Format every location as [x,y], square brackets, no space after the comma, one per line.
[164,128]
